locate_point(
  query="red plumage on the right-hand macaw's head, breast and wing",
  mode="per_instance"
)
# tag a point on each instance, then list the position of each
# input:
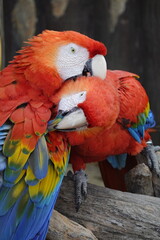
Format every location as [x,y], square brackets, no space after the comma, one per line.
[119,97]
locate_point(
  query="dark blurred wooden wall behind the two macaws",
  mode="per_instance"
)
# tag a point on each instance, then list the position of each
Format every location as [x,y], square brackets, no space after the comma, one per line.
[129,28]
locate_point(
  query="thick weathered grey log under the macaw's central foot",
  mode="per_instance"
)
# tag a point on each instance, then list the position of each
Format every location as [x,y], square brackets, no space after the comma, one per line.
[112,214]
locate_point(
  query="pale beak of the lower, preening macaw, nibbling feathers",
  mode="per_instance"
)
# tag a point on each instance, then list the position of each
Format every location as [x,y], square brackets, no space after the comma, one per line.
[71,120]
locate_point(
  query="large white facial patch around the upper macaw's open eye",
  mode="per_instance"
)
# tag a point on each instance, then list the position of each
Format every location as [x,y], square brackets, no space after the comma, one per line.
[71,60]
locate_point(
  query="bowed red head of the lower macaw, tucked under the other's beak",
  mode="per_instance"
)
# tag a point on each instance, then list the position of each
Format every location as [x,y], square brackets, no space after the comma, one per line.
[85,104]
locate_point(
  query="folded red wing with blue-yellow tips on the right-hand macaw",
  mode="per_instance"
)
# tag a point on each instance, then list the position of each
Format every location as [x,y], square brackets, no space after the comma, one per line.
[135,114]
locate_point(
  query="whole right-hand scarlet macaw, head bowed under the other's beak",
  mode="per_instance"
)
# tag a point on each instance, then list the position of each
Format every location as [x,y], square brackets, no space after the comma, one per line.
[106,119]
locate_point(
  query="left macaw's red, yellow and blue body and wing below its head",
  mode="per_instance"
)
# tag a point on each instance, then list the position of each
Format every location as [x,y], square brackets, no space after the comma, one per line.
[29,181]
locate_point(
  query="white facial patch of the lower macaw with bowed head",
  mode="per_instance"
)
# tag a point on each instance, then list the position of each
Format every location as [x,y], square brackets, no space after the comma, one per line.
[71,101]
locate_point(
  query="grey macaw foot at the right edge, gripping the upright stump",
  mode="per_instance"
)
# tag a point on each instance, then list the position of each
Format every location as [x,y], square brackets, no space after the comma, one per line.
[152,159]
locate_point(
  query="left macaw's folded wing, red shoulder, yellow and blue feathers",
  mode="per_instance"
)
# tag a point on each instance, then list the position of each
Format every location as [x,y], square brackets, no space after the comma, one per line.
[31,181]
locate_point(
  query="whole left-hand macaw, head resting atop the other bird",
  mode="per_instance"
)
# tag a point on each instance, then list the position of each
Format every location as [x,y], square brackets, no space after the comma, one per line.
[32,162]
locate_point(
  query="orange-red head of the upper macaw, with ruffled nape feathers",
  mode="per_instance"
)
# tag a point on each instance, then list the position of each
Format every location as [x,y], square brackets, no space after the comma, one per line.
[54,57]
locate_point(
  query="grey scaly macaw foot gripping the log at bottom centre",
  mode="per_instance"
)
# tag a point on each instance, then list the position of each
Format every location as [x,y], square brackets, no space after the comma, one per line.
[80,181]
